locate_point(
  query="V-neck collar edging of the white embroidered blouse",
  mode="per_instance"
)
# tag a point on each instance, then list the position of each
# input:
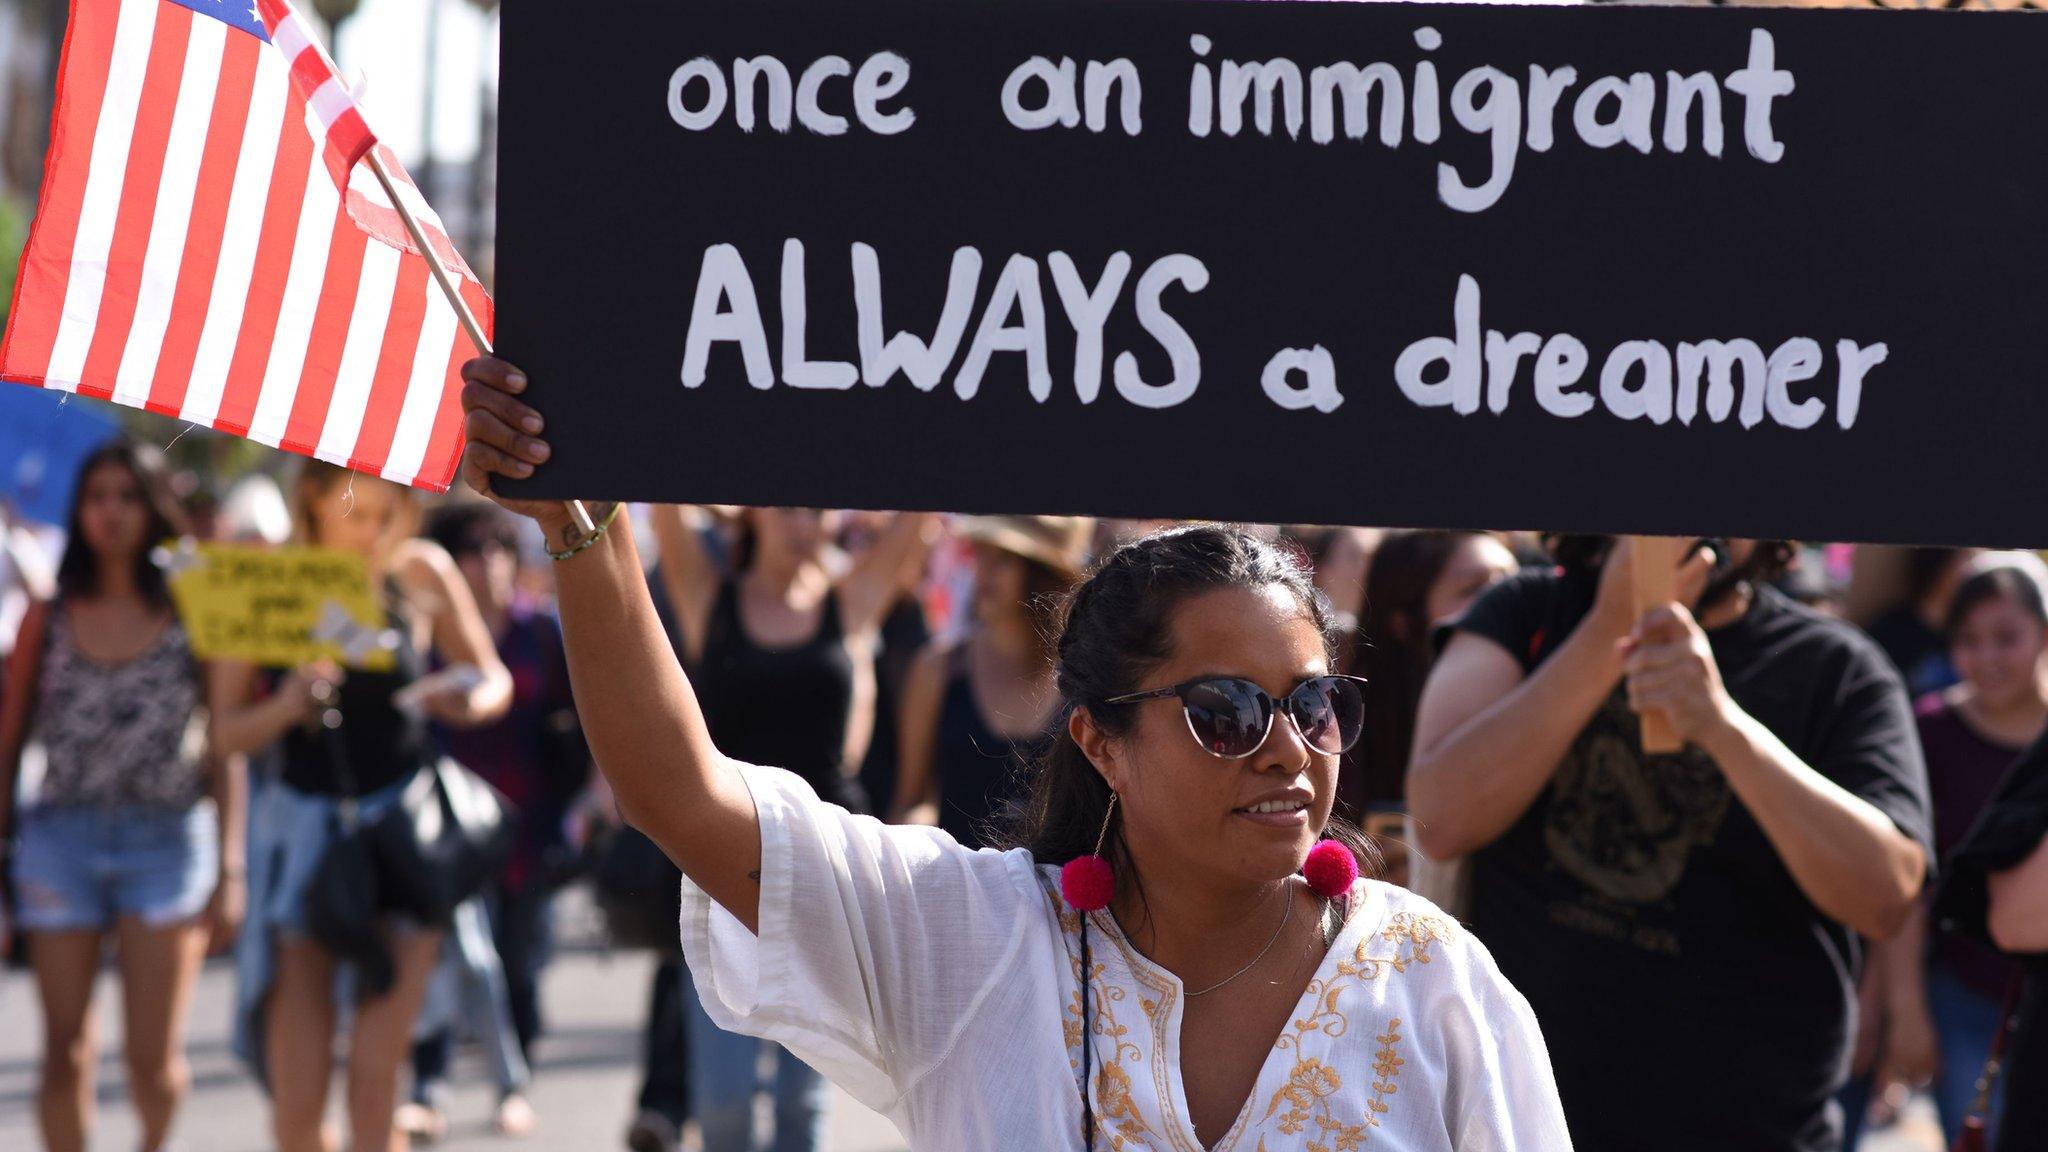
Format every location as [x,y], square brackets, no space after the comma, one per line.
[1369,909]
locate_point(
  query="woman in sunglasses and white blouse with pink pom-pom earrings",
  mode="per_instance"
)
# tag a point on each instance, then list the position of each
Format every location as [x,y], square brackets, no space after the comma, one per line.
[1179,952]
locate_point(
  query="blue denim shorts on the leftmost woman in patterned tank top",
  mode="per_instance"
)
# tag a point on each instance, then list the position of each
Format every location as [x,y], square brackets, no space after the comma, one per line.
[85,868]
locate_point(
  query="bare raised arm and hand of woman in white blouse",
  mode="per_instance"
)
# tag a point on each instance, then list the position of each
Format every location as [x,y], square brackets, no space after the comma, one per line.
[640,712]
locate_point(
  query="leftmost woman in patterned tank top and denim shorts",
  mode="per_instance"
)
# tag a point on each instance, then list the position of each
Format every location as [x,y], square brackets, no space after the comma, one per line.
[134,831]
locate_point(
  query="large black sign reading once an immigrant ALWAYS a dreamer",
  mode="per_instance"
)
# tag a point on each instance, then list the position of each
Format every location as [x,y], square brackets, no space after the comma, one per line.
[1770,274]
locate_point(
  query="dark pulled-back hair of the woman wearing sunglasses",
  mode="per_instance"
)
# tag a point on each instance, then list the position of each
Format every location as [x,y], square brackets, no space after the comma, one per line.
[1115,630]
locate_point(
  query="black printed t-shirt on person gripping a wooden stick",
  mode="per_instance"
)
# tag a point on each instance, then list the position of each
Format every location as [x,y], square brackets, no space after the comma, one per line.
[1691,995]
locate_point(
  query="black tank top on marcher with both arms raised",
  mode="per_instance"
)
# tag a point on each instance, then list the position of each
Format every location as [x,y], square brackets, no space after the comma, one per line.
[785,708]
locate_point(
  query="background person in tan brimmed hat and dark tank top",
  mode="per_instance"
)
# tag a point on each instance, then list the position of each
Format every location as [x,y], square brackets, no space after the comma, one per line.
[980,706]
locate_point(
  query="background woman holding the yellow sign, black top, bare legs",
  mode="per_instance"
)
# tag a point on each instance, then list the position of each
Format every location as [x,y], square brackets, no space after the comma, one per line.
[286,995]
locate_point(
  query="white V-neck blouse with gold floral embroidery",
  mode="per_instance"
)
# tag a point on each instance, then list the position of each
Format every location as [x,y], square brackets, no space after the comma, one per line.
[941,987]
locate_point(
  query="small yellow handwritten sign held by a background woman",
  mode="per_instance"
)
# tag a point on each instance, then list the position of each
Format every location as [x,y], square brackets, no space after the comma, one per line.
[280,606]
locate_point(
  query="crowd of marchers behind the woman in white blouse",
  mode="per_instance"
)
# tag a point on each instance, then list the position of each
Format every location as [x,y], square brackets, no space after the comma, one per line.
[1832,899]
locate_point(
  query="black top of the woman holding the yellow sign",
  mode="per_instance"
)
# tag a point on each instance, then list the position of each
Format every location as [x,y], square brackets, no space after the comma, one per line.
[378,743]
